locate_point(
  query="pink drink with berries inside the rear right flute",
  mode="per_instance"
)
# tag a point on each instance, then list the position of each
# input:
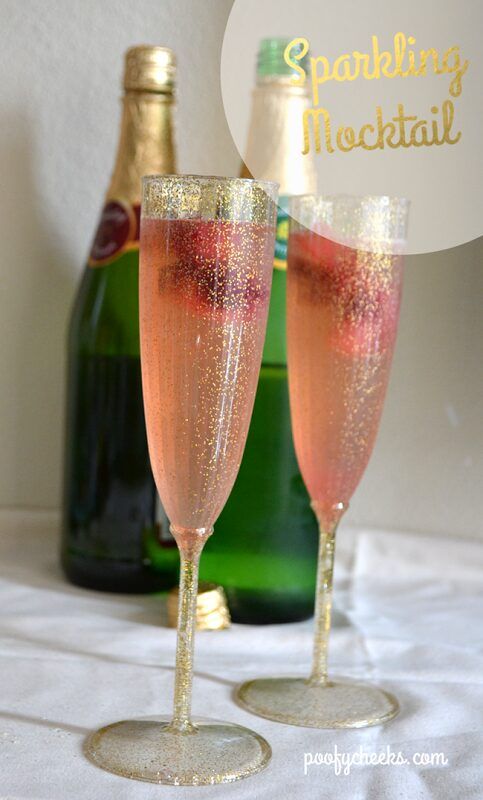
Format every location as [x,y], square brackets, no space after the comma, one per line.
[343,308]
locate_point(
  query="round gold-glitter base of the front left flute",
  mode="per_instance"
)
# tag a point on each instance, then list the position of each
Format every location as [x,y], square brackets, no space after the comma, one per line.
[149,750]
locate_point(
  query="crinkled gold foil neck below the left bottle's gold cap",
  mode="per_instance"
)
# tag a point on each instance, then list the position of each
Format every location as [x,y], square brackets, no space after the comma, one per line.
[145,144]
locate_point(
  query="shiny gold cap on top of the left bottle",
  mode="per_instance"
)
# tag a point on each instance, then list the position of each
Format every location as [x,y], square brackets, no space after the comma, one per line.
[149,68]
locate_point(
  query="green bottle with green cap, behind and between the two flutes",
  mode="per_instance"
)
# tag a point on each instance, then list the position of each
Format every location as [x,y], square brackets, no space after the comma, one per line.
[264,549]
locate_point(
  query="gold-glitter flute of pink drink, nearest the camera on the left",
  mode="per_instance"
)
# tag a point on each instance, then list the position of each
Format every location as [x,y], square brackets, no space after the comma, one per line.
[205,275]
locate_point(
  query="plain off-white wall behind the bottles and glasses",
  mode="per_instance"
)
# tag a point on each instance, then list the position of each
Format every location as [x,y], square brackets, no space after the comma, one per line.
[60,70]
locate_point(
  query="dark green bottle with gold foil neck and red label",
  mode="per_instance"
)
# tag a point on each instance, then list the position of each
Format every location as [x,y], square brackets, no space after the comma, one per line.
[113,535]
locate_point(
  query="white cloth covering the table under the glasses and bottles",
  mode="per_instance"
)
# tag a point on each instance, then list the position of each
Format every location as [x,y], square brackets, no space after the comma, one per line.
[409,616]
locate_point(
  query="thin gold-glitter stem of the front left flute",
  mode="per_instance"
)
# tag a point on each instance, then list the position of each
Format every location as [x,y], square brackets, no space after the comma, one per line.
[190,543]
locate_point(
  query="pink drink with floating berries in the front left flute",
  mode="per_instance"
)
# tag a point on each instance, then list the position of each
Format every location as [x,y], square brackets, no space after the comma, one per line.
[204,292]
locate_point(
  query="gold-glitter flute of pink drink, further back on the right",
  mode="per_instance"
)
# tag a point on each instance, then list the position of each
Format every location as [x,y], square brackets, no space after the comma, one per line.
[343,296]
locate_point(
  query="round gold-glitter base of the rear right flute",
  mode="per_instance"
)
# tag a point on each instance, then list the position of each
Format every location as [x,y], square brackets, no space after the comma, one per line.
[337,704]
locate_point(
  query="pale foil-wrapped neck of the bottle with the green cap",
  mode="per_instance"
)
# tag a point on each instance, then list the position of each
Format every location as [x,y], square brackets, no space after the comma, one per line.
[275,138]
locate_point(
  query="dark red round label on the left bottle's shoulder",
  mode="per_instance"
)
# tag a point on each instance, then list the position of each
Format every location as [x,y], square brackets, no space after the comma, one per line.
[118,231]
